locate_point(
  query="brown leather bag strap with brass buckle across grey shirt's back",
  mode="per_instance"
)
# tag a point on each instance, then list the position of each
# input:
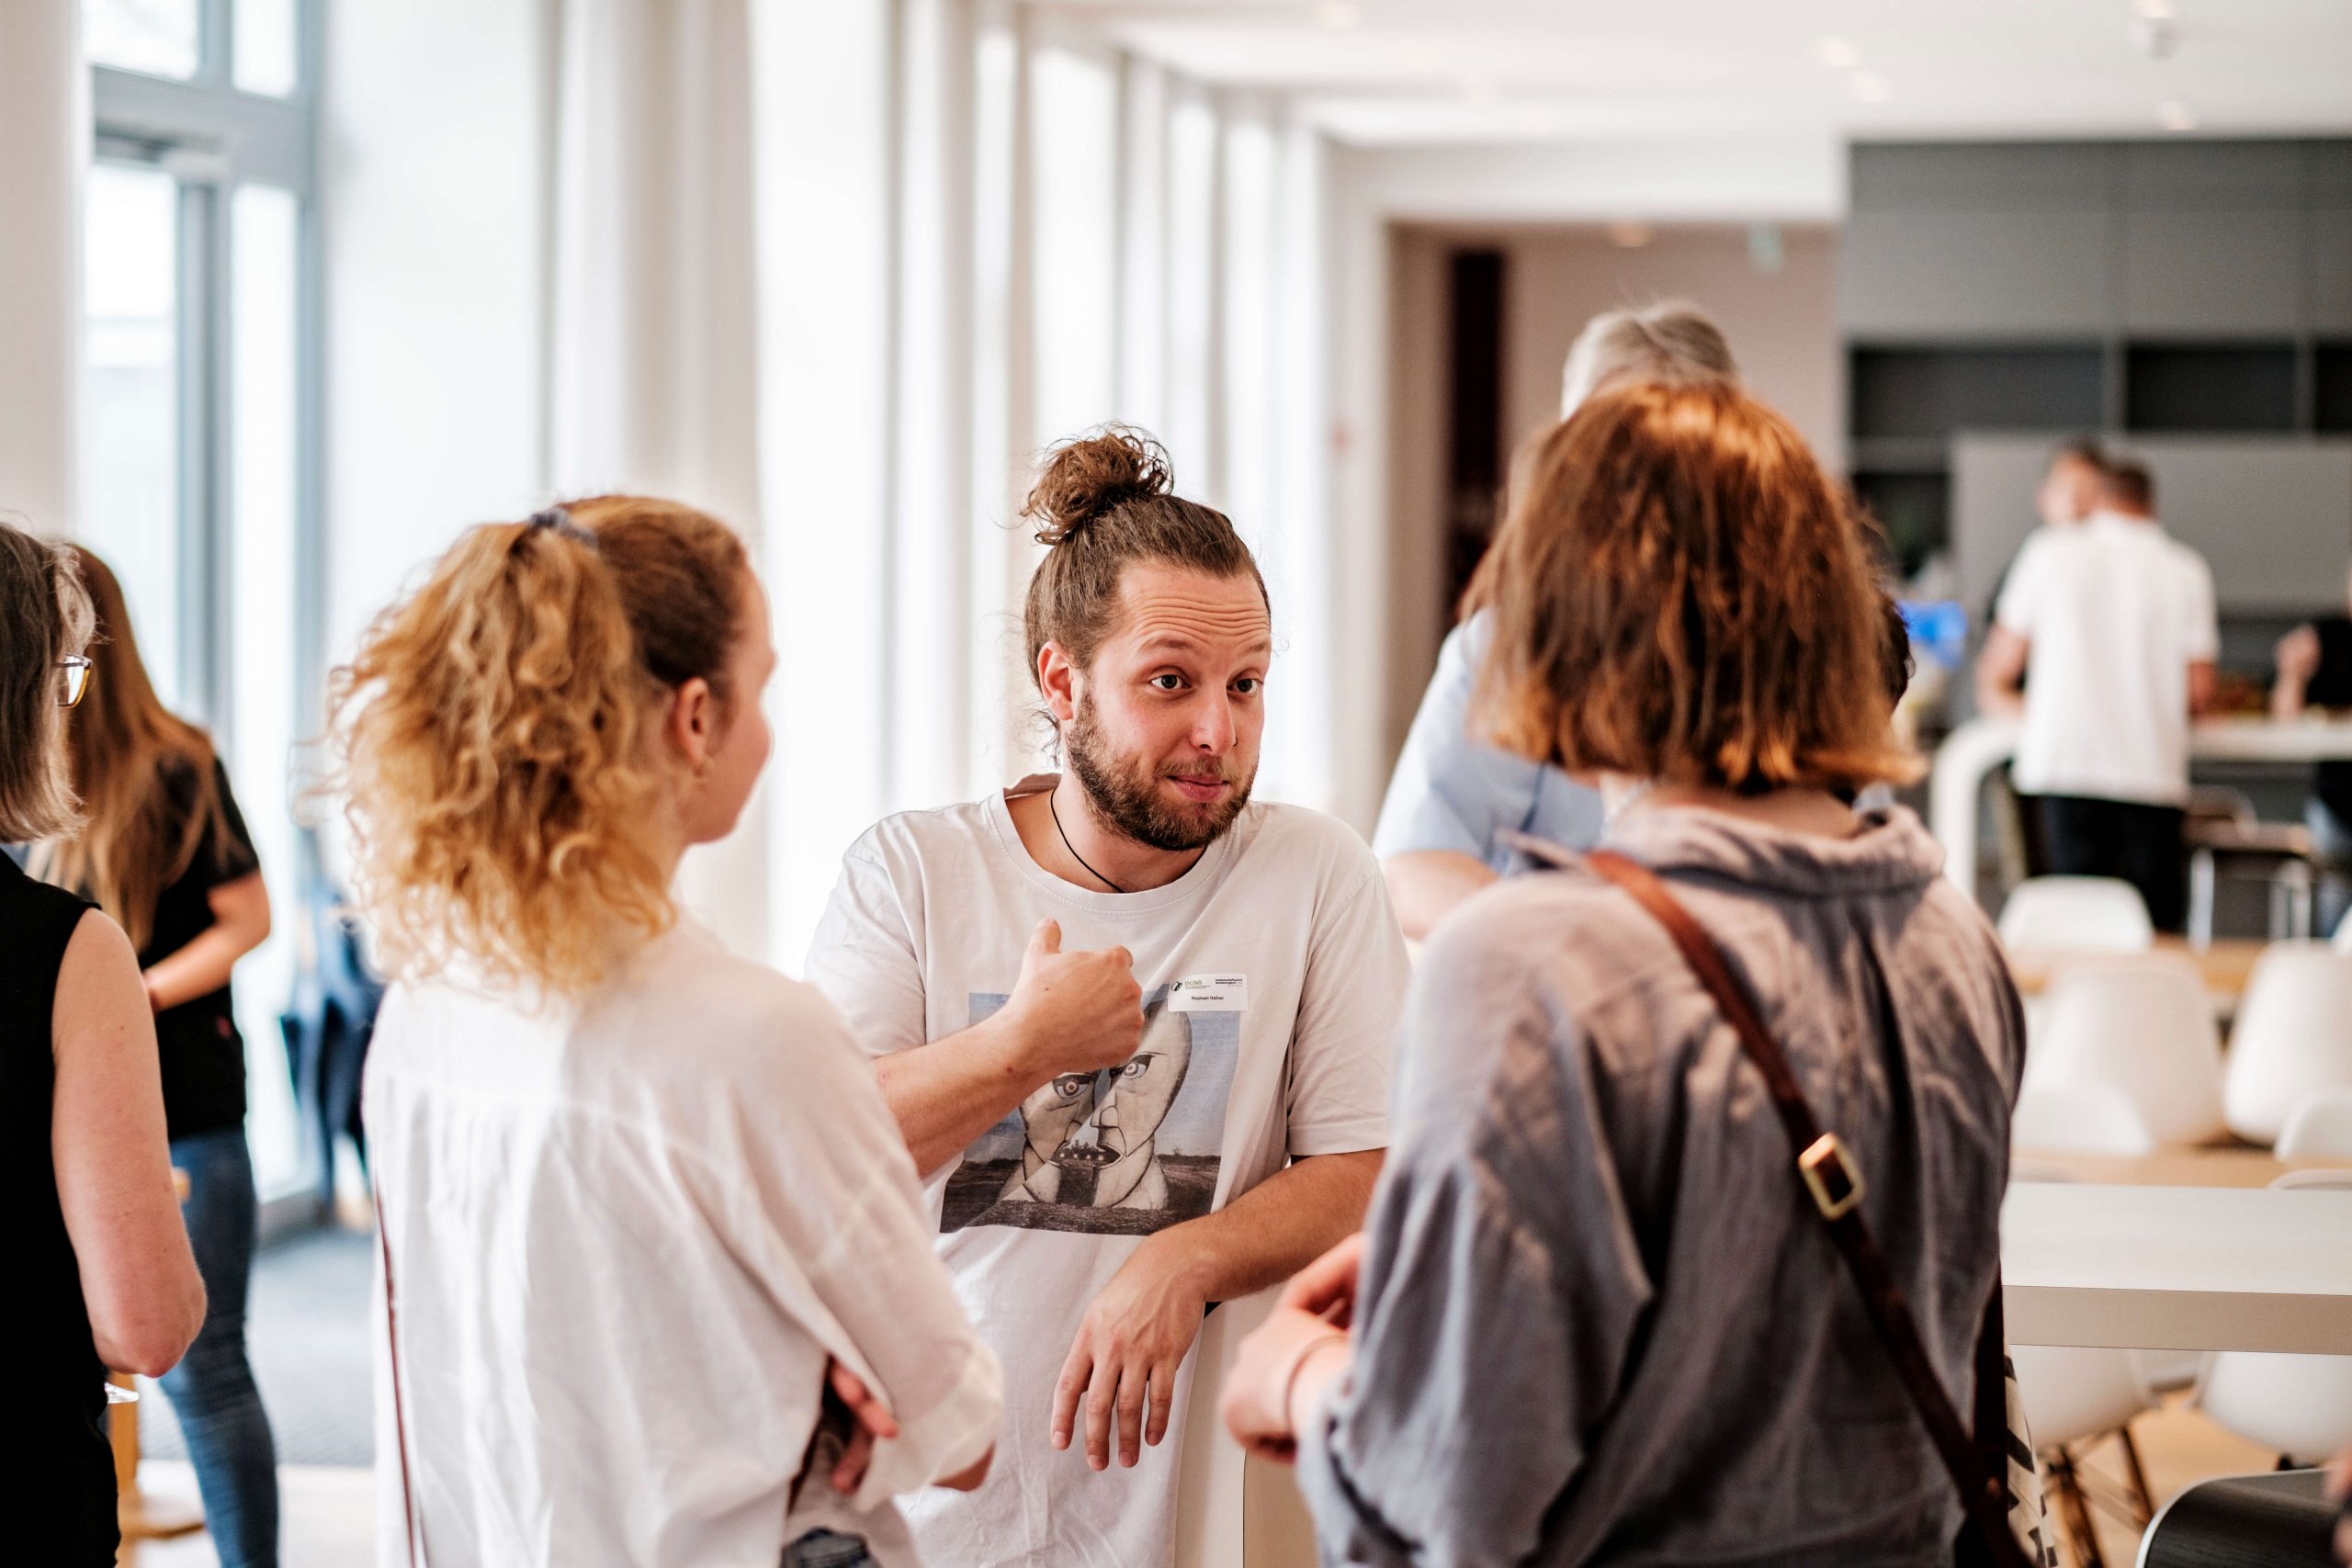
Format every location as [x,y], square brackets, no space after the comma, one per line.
[1838,1193]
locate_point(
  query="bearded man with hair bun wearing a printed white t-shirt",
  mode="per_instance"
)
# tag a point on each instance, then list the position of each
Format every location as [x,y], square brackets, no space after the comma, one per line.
[1135,1026]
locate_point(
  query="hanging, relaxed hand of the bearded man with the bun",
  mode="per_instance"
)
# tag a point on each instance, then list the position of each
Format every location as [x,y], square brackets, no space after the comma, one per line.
[1128,1355]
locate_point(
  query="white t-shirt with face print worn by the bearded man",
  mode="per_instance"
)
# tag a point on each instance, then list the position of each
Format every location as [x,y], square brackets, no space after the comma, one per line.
[1271,981]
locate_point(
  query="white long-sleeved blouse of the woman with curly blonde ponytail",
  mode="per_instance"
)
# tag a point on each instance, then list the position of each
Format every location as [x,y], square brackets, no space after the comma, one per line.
[624,1235]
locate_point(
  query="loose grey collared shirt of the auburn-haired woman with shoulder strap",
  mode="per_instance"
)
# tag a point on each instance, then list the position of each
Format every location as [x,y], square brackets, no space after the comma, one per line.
[1601,1322]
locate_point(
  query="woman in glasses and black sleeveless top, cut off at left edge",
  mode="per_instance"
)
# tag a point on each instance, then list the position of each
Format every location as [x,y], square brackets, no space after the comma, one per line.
[98,1261]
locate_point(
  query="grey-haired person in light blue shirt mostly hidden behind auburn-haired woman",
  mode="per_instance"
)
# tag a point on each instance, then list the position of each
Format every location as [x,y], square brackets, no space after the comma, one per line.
[1452,796]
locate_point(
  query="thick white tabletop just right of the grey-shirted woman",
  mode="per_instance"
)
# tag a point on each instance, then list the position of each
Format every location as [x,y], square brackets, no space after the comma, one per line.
[2179,1268]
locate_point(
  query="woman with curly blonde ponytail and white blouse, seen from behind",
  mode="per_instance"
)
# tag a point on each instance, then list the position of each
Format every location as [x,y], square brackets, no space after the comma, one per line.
[653,1242]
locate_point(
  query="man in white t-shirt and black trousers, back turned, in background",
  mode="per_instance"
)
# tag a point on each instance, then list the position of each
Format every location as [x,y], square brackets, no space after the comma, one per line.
[2113,634]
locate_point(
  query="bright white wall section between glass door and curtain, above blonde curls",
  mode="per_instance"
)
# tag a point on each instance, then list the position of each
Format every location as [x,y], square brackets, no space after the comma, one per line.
[434,208]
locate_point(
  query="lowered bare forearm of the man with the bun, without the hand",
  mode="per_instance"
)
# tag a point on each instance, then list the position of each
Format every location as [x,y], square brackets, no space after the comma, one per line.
[1276,1228]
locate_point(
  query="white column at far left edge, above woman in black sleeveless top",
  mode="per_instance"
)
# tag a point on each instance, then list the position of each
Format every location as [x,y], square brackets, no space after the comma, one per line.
[44,152]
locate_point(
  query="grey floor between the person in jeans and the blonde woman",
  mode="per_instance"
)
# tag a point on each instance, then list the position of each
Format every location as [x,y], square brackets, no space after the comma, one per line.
[307,1332]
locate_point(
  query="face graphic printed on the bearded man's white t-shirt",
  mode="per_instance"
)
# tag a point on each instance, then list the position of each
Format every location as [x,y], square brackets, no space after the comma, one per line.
[1125,1151]
